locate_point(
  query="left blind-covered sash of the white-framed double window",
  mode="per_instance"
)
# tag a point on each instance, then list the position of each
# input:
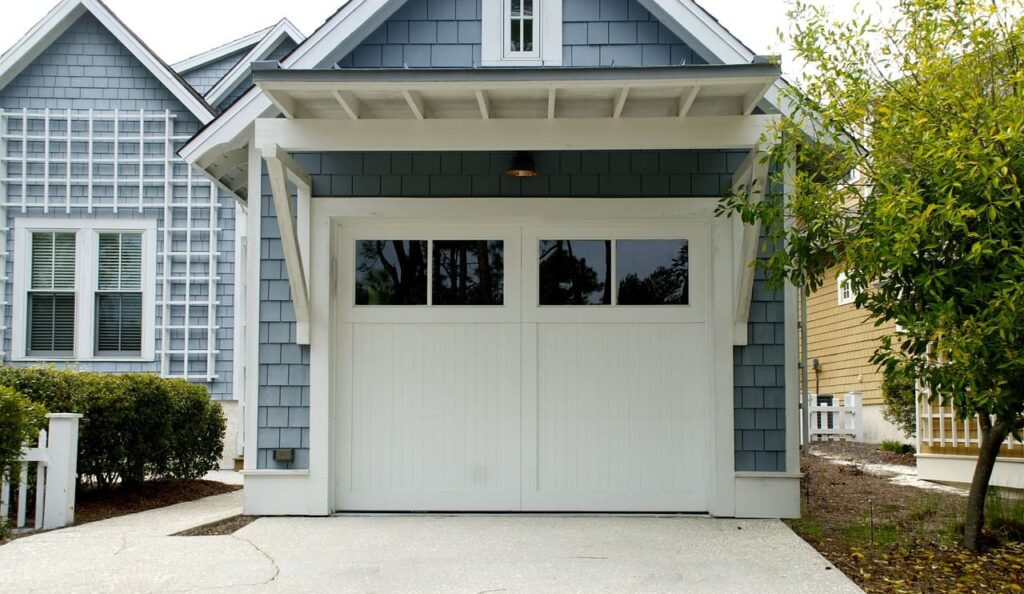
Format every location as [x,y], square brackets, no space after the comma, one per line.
[52,294]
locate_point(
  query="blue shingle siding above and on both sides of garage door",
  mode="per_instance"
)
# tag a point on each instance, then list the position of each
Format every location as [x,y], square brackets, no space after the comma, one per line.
[760,381]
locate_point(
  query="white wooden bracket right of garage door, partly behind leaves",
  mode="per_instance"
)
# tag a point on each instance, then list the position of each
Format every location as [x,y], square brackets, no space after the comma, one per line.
[752,180]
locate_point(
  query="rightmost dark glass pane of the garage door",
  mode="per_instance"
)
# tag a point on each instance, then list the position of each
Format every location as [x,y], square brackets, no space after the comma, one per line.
[654,272]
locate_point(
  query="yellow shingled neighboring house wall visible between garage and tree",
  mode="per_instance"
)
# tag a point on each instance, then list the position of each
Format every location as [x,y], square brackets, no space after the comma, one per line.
[841,341]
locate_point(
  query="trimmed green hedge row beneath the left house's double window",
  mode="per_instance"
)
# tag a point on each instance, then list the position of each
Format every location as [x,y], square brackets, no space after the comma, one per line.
[135,427]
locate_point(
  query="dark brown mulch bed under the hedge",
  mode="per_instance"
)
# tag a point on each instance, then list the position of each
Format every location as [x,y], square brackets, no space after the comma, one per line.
[95,505]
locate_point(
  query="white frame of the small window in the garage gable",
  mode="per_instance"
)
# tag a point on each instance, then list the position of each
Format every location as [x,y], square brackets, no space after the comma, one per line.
[495,43]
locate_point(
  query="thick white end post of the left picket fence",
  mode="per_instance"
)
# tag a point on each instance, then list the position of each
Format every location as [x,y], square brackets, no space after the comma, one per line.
[62,471]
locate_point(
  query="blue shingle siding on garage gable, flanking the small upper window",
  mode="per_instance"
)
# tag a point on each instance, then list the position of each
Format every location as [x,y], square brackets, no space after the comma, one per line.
[447,34]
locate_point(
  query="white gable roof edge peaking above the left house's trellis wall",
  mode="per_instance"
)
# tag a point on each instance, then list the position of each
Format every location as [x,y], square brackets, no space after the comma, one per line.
[59,21]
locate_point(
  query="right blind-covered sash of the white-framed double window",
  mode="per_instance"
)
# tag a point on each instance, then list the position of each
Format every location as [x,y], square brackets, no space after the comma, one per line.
[119,294]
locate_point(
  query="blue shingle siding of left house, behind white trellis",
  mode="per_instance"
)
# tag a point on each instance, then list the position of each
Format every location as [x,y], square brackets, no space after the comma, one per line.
[88,69]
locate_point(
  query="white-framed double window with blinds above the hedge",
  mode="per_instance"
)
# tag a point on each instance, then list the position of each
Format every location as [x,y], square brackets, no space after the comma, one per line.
[84,290]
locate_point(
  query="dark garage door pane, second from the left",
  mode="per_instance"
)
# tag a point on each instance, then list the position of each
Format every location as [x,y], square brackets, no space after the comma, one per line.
[470,273]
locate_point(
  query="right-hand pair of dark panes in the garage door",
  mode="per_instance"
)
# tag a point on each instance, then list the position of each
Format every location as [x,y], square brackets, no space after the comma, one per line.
[646,273]
